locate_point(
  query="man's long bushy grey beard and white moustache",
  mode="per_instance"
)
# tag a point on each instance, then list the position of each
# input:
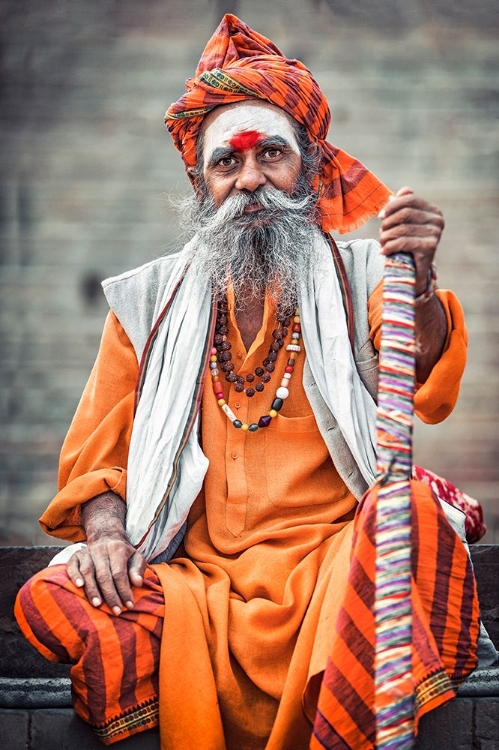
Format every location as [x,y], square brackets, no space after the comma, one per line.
[269,251]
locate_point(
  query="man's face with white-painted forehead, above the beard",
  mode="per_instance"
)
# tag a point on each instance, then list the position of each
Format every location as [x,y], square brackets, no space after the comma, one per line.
[247,146]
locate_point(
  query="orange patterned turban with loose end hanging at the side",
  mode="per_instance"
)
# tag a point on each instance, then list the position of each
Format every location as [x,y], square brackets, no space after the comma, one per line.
[237,64]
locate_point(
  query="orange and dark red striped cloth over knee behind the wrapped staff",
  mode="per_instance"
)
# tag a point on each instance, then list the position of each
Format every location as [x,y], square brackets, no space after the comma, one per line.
[445,626]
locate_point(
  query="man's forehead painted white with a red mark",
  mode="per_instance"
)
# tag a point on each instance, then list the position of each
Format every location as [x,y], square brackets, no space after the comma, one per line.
[243,125]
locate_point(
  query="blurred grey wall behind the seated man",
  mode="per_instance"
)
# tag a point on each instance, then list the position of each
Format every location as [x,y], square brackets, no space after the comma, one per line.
[87,166]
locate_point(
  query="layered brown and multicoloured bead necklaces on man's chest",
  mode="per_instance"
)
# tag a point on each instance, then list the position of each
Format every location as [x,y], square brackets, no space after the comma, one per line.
[221,360]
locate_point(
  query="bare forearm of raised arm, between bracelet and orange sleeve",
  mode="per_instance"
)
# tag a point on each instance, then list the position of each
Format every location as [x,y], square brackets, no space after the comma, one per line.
[431,334]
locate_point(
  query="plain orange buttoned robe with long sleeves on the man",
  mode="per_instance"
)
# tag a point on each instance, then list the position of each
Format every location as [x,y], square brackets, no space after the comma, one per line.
[255,590]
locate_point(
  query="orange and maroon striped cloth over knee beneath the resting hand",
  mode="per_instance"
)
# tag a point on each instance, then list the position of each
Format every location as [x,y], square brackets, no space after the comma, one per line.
[115,659]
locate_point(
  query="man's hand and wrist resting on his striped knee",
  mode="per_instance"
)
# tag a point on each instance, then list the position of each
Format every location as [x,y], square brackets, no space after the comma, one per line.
[109,566]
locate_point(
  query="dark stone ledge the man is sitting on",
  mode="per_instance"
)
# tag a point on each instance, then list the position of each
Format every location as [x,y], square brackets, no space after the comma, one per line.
[35,695]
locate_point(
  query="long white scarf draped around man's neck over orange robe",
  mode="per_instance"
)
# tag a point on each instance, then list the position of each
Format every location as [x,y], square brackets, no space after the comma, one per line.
[166,466]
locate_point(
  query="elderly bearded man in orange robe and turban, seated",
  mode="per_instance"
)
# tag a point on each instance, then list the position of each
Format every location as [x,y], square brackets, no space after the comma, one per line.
[218,456]
